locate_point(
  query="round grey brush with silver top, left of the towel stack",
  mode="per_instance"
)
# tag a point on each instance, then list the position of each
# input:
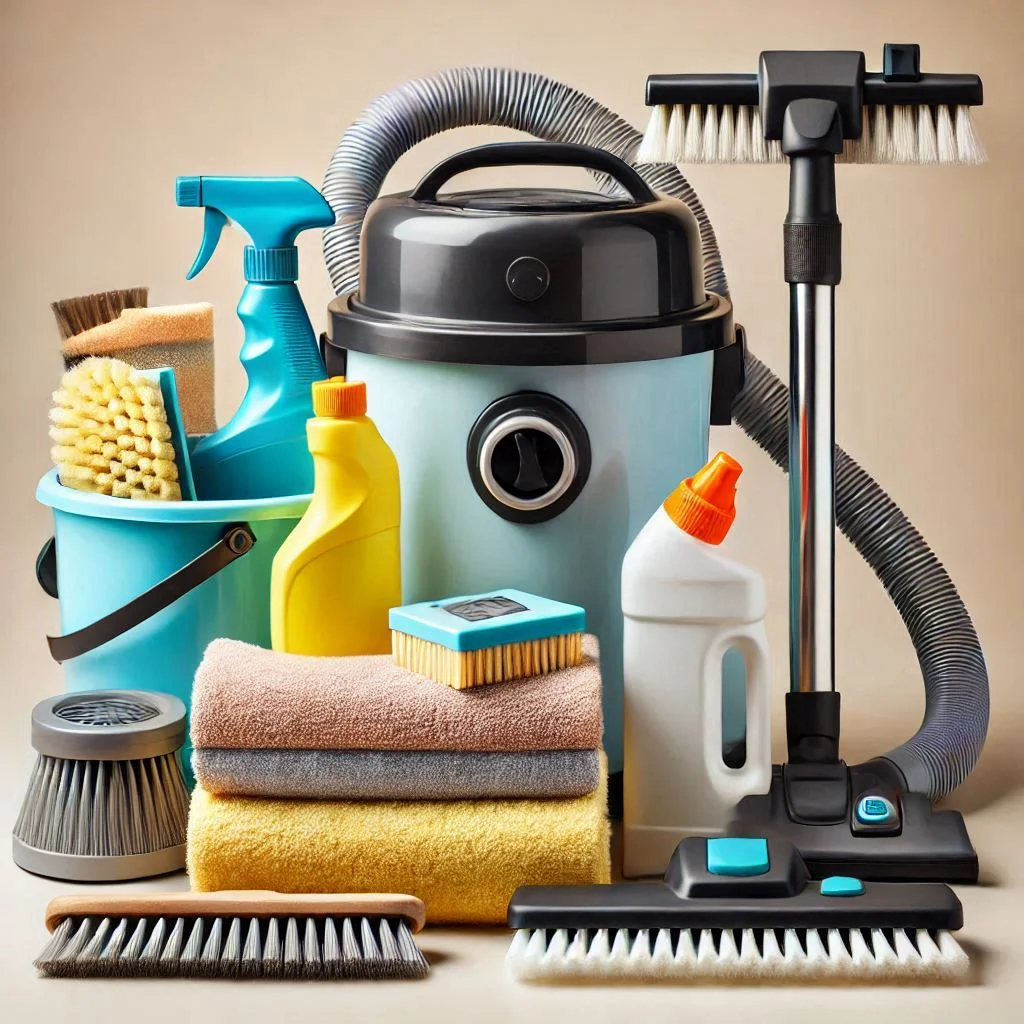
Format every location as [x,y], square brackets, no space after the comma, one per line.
[107,801]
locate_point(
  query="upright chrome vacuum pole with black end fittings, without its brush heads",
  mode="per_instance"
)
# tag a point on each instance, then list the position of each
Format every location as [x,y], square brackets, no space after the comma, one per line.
[813,137]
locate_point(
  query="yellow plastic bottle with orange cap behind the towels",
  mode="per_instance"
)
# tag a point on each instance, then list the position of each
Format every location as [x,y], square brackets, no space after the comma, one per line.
[338,574]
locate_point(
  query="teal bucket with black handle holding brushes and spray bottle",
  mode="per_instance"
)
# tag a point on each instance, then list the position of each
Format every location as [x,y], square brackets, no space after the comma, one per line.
[144,587]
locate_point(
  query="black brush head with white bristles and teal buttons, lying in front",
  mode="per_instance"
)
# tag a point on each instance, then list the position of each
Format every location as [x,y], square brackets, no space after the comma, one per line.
[738,912]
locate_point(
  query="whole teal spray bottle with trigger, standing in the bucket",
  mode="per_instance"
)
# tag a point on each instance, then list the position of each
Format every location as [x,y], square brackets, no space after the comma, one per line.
[262,452]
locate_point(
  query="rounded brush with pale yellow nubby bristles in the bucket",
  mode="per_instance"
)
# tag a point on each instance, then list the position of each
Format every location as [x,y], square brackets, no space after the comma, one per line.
[117,431]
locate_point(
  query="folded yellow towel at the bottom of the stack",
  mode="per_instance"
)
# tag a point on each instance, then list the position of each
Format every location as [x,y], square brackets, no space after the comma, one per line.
[463,859]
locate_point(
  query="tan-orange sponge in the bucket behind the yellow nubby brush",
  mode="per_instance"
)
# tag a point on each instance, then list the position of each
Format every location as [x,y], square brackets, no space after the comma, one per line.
[148,337]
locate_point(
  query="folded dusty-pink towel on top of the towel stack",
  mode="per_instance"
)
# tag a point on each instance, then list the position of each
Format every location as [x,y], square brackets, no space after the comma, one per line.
[247,698]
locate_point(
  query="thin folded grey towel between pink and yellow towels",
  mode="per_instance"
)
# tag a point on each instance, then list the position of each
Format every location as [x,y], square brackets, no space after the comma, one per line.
[397,775]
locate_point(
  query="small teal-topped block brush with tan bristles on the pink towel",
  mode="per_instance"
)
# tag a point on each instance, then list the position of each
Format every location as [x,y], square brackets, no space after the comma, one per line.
[487,638]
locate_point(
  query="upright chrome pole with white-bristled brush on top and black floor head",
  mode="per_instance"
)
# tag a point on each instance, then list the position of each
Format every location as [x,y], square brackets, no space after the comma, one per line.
[814,109]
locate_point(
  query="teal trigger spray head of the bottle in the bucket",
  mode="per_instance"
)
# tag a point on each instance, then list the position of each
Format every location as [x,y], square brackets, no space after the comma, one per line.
[271,211]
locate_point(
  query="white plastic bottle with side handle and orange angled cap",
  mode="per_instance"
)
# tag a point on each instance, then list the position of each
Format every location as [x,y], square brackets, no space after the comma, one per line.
[686,607]
